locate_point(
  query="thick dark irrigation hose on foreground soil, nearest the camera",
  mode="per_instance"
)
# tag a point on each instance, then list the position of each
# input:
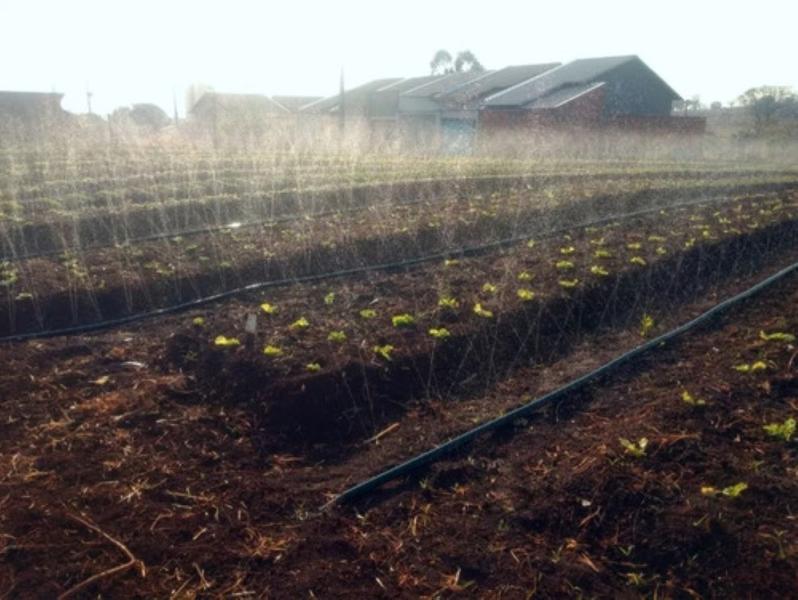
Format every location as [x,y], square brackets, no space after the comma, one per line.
[435,454]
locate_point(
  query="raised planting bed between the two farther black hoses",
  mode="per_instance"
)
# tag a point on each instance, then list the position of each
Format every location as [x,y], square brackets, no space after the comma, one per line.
[47,293]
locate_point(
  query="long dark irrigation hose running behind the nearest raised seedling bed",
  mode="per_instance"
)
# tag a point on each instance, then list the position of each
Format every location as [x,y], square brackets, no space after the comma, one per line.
[391,266]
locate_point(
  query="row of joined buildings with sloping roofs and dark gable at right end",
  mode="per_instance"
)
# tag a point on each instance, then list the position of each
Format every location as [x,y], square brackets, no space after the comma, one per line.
[450,110]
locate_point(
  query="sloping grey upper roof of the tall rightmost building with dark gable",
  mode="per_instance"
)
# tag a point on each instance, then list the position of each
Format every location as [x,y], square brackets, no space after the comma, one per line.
[582,71]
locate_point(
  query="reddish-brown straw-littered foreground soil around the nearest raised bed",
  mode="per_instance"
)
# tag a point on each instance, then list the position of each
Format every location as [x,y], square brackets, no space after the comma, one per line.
[109,447]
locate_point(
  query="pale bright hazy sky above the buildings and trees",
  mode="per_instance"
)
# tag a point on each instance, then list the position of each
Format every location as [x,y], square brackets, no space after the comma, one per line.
[130,51]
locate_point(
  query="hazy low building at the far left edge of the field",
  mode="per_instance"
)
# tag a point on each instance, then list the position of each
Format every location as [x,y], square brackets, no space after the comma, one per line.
[30,113]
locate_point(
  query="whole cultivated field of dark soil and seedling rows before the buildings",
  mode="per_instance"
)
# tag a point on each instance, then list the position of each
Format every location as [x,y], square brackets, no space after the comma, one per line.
[200,351]
